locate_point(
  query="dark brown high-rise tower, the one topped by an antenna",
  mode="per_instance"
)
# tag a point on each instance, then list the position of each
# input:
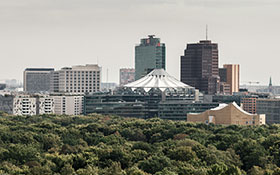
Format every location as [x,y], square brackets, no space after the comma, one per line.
[199,66]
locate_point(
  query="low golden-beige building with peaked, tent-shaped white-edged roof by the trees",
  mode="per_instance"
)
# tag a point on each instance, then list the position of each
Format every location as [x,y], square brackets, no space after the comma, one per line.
[227,114]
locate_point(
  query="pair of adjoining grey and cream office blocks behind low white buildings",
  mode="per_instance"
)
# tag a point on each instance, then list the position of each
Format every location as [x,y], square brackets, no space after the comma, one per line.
[76,79]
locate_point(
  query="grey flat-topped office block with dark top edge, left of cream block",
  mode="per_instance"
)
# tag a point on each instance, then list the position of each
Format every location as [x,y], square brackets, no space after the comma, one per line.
[37,79]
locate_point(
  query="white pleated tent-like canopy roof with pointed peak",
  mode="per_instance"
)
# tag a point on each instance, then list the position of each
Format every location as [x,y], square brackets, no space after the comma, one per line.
[160,79]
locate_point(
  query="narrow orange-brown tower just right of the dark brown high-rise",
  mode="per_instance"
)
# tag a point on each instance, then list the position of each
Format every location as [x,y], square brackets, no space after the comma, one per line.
[232,77]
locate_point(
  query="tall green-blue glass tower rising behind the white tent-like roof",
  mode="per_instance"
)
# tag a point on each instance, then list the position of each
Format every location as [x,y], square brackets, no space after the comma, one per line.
[149,55]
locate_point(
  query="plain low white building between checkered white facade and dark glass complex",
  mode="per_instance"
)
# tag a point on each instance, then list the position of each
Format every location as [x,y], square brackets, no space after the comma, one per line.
[68,104]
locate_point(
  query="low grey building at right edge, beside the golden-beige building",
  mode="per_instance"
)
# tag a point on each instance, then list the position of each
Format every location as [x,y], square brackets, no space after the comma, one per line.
[271,108]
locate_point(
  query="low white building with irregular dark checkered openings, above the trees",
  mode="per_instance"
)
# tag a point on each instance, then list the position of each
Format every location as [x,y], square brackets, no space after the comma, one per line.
[33,105]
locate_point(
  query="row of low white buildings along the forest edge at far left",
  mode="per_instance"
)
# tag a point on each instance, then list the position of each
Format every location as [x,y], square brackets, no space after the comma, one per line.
[39,104]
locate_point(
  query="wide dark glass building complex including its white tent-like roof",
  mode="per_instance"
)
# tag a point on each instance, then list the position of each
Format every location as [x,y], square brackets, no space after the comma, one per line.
[156,94]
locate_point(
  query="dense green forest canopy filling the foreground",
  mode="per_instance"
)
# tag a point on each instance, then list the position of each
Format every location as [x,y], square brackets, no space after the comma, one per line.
[110,145]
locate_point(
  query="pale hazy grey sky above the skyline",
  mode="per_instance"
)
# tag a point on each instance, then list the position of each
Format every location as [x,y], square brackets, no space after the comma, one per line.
[58,33]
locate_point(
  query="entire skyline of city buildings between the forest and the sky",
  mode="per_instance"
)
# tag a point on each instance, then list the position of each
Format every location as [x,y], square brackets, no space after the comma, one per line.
[148,90]
